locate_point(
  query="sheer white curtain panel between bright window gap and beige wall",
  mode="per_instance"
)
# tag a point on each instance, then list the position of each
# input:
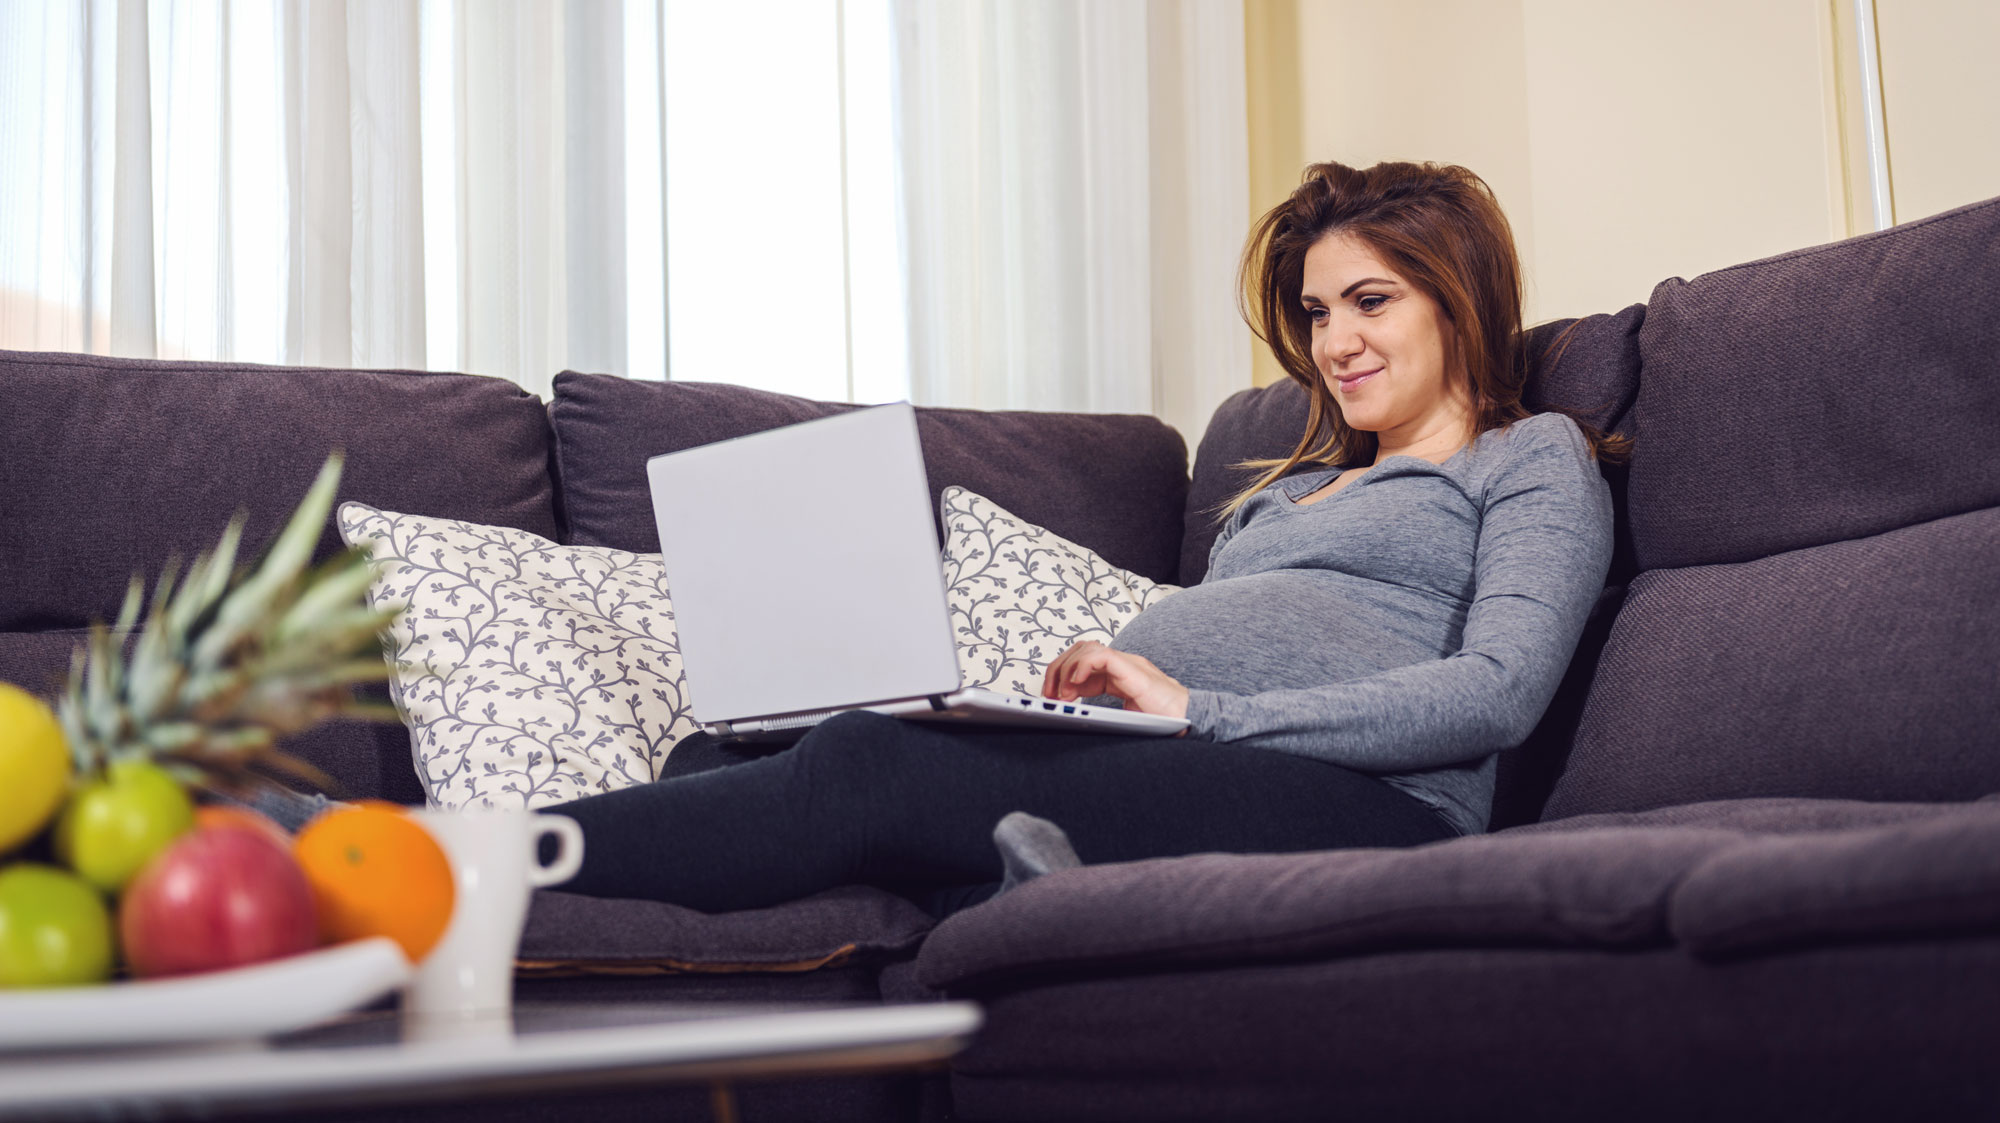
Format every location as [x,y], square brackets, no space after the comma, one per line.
[1077,193]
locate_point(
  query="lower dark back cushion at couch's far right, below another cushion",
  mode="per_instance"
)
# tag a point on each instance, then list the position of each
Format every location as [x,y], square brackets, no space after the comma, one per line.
[1859,670]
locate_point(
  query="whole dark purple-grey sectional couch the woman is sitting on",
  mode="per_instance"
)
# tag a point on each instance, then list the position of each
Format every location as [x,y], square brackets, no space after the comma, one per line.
[1747,868]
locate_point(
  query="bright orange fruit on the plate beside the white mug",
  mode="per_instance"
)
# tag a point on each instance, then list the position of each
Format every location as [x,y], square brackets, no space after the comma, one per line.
[377,872]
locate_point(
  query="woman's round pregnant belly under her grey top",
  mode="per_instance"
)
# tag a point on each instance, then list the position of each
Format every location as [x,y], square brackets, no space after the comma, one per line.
[1291,628]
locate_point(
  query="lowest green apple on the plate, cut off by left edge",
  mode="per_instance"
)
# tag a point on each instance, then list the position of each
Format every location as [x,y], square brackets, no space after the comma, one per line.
[55,930]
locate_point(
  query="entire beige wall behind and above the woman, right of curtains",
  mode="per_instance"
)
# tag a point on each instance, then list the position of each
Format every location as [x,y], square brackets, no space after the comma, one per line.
[1633,141]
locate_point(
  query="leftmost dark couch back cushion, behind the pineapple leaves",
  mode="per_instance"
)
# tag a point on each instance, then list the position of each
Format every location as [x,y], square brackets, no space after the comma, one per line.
[115,465]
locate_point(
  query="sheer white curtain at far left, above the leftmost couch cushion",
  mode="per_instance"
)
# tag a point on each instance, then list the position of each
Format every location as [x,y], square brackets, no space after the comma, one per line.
[343,183]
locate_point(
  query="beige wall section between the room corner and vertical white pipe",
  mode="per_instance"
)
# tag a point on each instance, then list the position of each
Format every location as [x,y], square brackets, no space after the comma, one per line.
[1671,141]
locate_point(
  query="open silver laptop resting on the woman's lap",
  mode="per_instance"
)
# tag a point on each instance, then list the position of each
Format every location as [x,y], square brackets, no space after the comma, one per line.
[805,574]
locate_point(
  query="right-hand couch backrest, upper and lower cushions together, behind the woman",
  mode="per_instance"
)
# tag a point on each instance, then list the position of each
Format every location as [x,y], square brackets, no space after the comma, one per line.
[1815,511]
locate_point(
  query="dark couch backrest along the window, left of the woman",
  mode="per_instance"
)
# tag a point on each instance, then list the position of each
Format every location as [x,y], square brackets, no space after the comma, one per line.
[115,465]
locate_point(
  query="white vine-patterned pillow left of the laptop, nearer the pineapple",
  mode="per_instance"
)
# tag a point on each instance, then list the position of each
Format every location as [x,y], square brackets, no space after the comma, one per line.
[529,672]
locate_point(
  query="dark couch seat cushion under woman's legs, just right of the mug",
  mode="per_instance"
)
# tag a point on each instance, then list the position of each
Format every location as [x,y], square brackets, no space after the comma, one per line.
[569,932]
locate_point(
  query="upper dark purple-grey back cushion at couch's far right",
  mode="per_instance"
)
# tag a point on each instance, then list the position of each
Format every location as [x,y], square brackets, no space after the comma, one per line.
[1823,395]
